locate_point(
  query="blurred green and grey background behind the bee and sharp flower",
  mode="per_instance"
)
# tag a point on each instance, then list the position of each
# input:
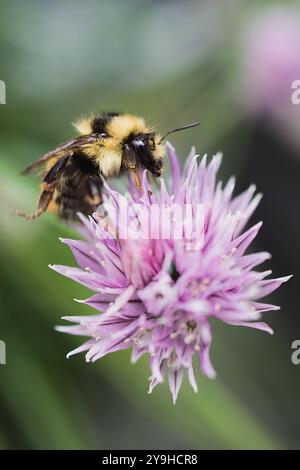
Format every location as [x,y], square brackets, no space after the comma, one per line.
[173,62]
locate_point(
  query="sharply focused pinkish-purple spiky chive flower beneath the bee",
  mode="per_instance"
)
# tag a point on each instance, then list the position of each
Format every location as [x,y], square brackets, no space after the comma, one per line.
[162,265]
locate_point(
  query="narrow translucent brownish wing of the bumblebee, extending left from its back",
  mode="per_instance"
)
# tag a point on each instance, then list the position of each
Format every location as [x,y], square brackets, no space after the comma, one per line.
[60,151]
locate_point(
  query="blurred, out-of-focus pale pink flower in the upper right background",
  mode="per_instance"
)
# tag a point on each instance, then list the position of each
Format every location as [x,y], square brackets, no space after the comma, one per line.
[270,46]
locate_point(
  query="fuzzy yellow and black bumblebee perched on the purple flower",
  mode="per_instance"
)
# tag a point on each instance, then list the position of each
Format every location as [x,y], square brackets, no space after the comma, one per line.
[108,145]
